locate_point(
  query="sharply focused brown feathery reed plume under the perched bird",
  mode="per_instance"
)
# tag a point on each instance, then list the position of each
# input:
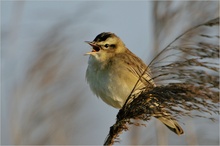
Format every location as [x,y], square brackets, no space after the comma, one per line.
[187,75]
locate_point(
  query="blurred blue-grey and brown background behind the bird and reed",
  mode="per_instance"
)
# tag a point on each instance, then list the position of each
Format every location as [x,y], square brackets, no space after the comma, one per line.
[45,98]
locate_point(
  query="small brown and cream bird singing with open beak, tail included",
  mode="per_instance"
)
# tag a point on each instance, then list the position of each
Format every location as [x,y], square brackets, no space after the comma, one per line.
[114,73]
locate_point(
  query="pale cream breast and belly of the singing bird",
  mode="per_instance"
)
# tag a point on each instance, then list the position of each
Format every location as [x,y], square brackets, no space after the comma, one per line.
[112,85]
